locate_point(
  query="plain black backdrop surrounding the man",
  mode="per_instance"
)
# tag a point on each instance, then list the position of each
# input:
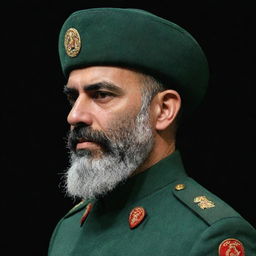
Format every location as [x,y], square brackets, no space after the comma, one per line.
[218,145]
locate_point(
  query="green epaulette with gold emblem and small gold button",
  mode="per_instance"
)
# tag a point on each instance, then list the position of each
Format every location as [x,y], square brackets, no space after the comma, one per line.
[204,203]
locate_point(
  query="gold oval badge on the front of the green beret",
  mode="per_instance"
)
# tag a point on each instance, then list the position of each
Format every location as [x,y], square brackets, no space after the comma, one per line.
[72,42]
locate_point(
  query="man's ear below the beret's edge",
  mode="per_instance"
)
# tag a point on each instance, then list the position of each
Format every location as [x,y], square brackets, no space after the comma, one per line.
[168,106]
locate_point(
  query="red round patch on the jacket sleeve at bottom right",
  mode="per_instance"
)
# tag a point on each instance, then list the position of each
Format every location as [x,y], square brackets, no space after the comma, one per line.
[231,247]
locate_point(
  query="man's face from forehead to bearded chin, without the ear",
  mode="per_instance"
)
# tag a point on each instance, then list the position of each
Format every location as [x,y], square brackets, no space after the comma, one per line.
[111,134]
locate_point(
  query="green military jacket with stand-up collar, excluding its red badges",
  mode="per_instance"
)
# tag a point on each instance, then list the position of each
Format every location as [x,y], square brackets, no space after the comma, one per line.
[174,224]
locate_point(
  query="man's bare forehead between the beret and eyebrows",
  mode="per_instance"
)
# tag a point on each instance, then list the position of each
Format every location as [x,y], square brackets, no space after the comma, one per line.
[124,78]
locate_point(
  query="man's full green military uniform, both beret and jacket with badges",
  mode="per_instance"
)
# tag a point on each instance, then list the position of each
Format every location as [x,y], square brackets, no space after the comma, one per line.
[160,211]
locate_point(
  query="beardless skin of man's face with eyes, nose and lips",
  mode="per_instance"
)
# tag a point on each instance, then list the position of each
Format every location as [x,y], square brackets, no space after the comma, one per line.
[100,97]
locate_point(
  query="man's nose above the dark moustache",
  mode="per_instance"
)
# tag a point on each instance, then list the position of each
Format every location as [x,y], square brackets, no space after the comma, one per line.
[80,112]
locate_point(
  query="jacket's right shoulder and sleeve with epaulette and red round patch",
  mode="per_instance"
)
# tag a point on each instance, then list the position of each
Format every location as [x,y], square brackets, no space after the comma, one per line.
[227,230]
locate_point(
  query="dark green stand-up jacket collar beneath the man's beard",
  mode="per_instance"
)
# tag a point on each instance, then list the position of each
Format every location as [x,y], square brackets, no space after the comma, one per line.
[166,171]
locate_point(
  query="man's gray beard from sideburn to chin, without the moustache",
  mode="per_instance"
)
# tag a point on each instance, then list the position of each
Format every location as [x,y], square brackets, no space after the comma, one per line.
[131,142]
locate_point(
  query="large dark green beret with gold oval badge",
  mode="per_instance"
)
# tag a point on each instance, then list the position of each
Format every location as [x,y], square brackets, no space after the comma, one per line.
[139,40]
